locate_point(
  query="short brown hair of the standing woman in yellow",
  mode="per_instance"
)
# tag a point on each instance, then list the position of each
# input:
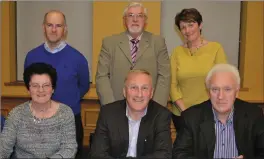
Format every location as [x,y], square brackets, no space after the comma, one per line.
[188,15]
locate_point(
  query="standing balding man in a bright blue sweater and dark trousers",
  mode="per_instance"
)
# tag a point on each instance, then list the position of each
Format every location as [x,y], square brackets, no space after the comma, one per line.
[71,66]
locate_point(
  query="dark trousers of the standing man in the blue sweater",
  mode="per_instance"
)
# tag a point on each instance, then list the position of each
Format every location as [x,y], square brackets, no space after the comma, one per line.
[79,134]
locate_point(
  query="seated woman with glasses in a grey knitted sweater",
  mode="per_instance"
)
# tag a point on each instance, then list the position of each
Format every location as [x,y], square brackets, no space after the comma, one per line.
[41,127]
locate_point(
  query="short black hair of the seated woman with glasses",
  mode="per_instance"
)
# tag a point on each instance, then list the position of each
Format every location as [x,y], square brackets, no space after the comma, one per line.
[40,69]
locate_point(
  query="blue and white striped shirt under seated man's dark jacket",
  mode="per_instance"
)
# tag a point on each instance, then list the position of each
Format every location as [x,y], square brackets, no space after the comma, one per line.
[225,145]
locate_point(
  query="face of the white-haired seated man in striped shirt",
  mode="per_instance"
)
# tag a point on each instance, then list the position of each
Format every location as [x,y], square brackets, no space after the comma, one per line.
[223,91]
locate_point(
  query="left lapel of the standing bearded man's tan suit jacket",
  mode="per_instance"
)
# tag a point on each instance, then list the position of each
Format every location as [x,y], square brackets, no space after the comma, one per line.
[124,46]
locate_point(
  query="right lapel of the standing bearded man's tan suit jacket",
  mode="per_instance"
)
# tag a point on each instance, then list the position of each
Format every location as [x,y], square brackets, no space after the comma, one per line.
[143,45]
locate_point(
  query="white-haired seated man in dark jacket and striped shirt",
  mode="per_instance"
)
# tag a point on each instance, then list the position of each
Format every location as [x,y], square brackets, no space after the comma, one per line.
[224,126]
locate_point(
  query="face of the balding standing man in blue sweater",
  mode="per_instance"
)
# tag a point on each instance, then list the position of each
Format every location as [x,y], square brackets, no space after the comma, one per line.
[54,28]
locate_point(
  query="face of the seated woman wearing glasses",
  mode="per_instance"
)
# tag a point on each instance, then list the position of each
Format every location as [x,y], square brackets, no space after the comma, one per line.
[40,88]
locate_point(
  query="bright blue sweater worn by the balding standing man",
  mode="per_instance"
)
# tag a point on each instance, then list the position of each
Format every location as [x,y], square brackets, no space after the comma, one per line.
[72,70]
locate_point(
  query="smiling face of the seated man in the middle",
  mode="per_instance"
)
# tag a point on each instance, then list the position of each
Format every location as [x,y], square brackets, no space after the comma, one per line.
[138,91]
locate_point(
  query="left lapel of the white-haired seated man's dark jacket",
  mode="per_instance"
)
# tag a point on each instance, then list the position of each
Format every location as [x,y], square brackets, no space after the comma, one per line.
[208,129]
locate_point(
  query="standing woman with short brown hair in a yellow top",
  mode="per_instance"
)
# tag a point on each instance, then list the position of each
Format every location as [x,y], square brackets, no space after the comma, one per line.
[190,64]
